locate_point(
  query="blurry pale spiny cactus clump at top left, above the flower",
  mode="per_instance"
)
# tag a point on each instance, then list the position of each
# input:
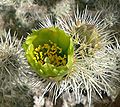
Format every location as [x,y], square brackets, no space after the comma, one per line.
[28,13]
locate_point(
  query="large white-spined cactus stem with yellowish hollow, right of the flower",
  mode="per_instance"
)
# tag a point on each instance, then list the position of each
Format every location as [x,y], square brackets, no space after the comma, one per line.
[96,66]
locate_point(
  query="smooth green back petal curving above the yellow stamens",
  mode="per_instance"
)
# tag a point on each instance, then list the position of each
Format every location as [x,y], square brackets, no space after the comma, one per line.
[54,34]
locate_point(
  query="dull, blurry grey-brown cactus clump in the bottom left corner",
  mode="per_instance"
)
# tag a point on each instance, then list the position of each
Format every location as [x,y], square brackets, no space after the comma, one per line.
[16,97]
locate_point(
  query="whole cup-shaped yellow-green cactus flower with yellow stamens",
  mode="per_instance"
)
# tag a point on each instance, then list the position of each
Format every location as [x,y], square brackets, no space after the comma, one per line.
[50,52]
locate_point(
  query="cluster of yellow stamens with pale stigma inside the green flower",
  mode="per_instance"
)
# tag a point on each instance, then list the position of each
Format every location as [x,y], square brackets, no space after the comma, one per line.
[50,53]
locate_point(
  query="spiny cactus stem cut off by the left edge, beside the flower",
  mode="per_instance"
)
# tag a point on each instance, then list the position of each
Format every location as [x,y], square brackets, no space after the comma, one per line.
[9,61]
